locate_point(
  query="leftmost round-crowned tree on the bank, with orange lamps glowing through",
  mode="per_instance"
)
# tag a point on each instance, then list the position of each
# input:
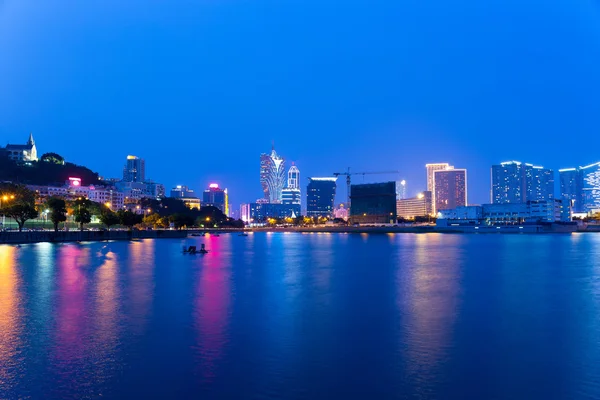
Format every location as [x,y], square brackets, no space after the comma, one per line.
[18,203]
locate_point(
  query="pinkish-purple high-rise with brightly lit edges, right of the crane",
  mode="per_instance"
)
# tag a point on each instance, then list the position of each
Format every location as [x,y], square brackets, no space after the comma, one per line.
[450,189]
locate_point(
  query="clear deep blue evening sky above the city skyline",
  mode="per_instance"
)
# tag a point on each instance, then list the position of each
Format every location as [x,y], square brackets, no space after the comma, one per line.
[200,88]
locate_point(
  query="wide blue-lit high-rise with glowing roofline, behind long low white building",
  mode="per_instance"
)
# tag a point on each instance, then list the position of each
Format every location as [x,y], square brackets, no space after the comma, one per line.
[516,182]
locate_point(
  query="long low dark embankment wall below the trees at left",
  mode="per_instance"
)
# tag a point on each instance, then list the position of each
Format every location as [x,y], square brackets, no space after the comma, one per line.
[85,236]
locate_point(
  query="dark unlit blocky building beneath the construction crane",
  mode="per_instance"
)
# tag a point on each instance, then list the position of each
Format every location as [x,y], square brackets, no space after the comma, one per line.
[373,203]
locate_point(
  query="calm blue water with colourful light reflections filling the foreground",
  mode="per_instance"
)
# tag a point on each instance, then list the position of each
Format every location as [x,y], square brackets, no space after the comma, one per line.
[304,316]
